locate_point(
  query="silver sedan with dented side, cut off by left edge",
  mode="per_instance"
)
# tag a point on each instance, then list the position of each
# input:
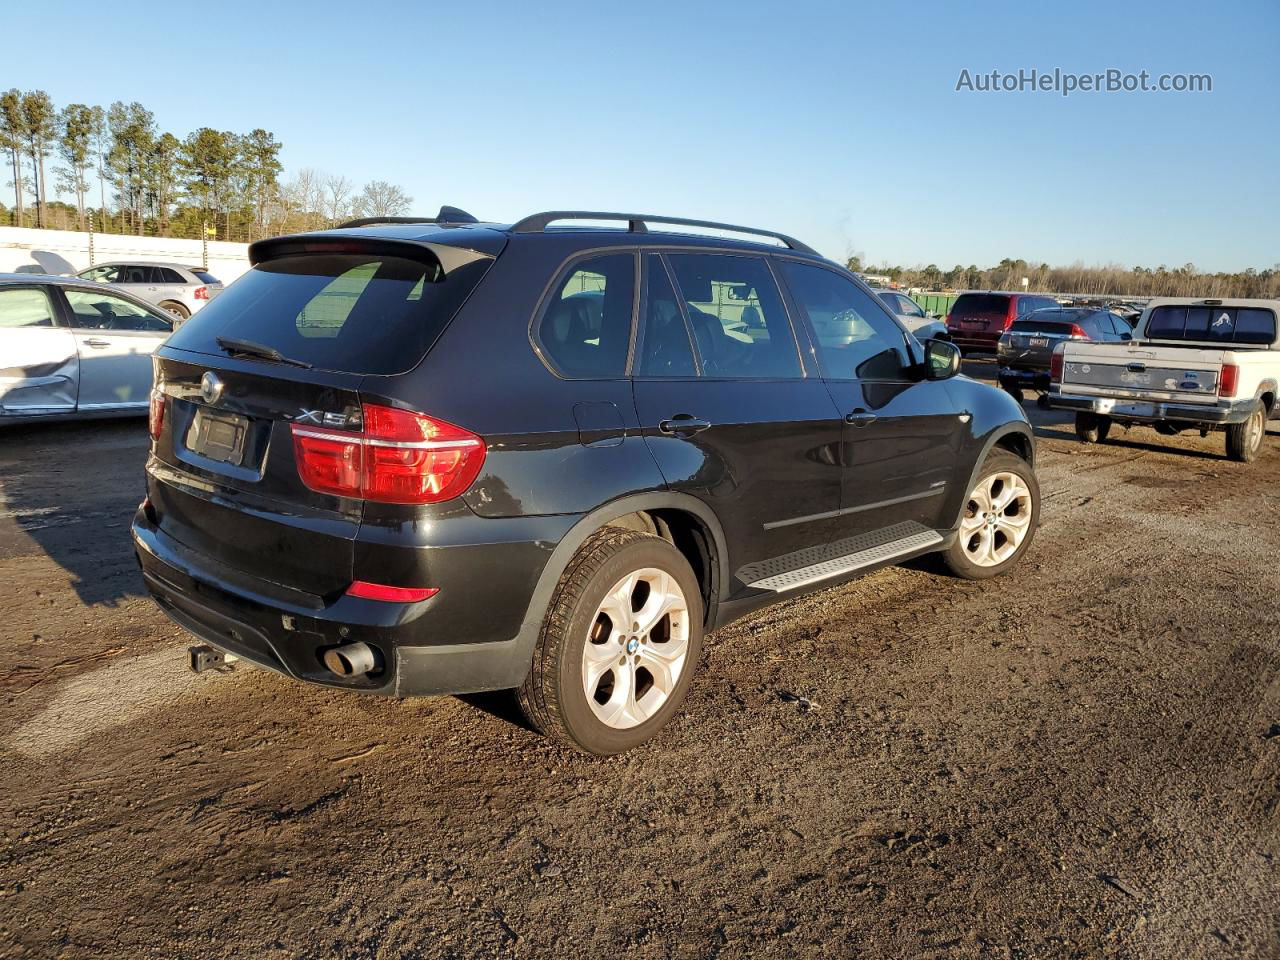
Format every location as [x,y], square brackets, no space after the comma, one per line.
[71,349]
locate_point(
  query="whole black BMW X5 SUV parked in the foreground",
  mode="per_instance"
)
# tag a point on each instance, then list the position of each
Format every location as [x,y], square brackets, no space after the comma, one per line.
[444,456]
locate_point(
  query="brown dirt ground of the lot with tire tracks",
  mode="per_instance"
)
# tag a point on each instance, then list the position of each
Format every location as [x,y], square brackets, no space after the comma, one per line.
[1081,760]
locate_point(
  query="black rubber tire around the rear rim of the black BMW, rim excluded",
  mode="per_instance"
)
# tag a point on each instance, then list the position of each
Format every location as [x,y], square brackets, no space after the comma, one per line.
[554,698]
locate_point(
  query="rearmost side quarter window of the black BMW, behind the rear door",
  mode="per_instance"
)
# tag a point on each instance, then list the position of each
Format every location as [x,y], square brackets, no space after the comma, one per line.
[586,331]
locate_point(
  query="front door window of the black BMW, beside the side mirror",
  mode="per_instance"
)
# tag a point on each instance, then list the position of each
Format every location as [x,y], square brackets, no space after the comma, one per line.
[857,341]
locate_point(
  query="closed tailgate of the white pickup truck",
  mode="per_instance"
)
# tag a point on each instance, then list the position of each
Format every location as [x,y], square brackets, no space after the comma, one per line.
[1144,372]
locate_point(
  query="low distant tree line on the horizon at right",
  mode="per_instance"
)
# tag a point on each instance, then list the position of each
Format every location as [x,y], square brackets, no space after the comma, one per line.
[1185,281]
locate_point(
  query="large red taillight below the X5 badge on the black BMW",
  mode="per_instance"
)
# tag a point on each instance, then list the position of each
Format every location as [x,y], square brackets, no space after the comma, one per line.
[400,458]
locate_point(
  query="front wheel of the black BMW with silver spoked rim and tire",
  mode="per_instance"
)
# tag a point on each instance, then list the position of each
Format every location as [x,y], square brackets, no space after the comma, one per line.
[999,520]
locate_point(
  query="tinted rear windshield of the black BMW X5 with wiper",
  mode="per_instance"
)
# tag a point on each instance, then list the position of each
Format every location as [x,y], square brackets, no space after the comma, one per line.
[355,313]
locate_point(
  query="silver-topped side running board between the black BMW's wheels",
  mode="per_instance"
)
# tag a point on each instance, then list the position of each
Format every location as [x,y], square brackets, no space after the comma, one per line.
[848,556]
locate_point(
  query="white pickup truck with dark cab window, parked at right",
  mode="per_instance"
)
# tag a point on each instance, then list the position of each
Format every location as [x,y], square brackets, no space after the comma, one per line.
[1191,365]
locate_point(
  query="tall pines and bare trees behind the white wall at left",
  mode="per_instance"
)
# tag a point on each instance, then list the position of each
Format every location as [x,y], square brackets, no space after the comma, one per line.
[124,175]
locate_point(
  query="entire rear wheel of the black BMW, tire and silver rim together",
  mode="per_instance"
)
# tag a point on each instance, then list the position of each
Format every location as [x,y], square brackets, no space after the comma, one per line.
[619,646]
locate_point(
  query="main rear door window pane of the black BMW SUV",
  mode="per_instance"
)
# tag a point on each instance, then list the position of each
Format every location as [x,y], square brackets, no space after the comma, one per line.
[739,324]
